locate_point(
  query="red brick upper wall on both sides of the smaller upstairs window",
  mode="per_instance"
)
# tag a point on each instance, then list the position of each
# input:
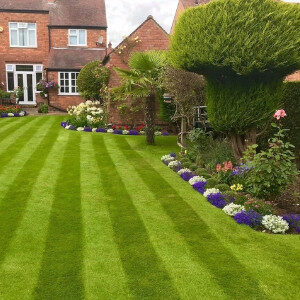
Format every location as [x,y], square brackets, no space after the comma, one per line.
[60,39]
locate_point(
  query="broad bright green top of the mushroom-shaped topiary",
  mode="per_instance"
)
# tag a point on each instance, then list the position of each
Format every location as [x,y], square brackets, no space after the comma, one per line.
[238,37]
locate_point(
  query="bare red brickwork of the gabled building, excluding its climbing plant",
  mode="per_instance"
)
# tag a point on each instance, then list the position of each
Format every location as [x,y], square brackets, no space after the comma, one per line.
[152,37]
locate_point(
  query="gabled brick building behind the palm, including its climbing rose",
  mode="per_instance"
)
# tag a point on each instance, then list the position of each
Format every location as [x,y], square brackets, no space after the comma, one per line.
[150,36]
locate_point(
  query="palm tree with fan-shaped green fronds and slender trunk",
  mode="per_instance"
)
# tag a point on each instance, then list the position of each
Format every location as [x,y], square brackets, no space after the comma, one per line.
[143,81]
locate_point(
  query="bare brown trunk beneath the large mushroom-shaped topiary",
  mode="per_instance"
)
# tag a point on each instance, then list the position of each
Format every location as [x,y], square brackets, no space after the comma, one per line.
[240,143]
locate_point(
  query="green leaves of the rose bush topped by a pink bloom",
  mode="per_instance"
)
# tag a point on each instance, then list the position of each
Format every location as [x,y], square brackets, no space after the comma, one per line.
[273,169]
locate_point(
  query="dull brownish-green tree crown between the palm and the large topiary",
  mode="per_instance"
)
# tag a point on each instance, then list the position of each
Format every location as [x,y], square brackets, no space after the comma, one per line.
[187,90]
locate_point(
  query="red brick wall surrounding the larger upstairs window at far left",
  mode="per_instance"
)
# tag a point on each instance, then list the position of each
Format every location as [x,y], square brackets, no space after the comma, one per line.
[37,55]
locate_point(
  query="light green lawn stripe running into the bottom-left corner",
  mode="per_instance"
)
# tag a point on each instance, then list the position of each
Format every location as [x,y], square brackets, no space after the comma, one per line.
[19,273]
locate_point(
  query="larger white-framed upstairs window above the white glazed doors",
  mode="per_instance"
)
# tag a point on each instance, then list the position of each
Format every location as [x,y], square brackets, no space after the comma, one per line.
[22,35]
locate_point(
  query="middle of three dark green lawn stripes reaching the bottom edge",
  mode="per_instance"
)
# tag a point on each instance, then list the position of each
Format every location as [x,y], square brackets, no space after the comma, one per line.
[146,274]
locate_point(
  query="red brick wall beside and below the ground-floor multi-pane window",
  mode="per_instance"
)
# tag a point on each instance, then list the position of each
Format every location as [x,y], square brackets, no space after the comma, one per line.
[61,101]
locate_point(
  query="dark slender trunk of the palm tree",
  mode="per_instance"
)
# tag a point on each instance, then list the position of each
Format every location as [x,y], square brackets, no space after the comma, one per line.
[150,115]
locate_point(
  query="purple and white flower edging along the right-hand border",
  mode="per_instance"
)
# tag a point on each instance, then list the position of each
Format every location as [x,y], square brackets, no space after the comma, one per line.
[247,214]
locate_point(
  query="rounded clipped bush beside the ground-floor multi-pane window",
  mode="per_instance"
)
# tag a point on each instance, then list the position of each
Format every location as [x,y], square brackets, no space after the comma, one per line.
[92,80]
